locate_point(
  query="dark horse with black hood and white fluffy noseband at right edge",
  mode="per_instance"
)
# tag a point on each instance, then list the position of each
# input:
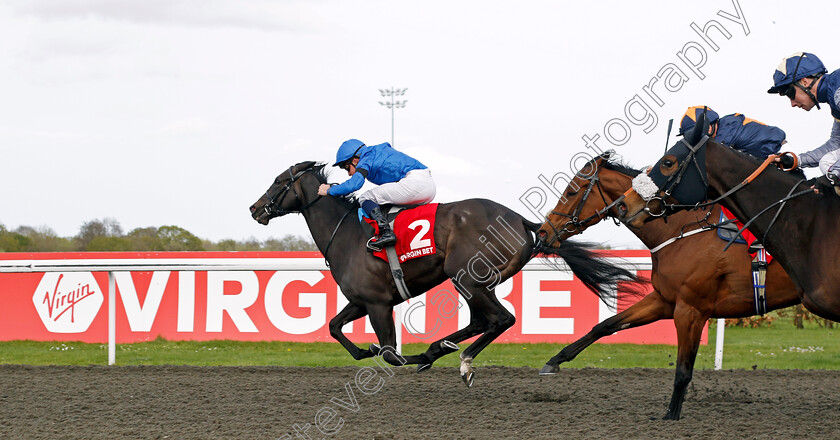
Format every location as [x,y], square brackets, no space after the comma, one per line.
[801,233]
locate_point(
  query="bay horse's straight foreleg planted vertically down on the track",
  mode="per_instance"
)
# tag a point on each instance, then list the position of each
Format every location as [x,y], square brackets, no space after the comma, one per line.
[689,322]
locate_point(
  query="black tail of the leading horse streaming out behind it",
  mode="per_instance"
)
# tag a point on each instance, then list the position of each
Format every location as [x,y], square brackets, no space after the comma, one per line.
[596,273]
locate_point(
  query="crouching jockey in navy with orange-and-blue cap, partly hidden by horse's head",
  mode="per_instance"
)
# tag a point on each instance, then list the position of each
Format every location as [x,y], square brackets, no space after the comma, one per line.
[737,131]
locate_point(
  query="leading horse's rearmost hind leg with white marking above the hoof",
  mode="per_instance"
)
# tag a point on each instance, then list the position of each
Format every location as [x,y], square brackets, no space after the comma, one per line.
[498,320]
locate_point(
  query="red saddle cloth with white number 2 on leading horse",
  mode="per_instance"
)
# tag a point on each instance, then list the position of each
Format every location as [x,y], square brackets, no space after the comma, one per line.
[414,229]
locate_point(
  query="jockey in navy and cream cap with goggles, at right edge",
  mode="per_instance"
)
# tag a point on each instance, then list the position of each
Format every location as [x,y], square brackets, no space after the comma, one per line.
[802,78]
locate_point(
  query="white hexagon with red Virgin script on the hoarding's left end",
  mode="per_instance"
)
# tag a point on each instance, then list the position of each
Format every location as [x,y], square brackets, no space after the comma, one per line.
[67,302]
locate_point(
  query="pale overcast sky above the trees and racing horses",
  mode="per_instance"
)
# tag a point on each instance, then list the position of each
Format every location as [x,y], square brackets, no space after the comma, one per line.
[175,112]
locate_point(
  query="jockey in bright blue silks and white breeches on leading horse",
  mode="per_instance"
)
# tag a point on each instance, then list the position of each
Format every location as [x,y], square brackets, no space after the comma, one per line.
[402,180]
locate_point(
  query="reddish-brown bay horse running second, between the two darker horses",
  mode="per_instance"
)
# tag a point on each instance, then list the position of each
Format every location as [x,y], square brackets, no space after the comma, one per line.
[693,279]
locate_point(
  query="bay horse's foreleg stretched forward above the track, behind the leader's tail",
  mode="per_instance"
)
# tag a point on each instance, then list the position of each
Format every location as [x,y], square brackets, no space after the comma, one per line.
[651,308]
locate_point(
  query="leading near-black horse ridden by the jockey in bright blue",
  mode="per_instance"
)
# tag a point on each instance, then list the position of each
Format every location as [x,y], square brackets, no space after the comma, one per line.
[479,244]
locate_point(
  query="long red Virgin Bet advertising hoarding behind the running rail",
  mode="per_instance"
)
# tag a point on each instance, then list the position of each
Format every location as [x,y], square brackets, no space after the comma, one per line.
[284,305]
